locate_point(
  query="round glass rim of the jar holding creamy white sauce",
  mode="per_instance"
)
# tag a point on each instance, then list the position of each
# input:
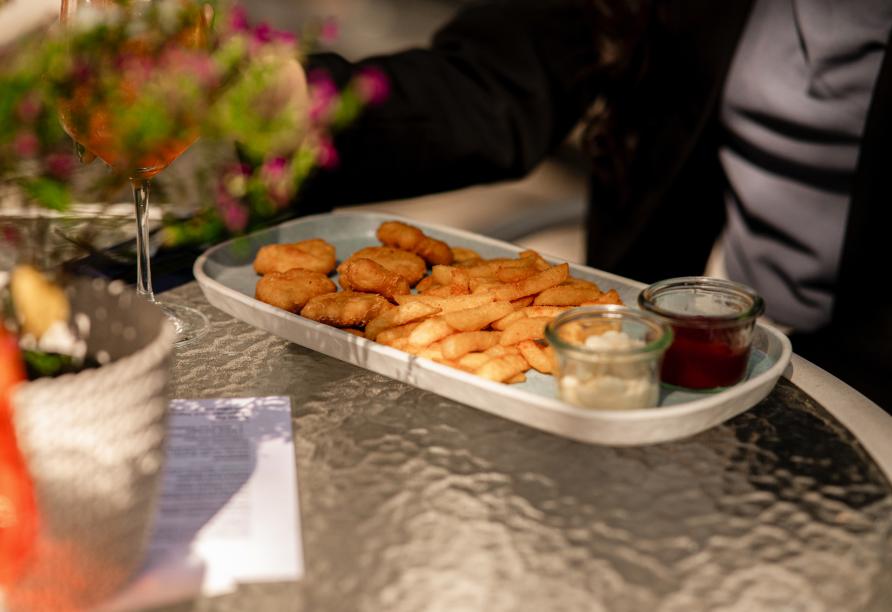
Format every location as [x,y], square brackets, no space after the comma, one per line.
[608,312]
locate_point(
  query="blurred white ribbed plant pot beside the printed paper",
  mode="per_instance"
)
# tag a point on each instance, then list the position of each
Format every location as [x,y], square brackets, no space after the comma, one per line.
[94,444]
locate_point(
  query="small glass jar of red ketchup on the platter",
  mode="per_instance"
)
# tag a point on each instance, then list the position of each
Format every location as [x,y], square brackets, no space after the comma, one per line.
[713,322]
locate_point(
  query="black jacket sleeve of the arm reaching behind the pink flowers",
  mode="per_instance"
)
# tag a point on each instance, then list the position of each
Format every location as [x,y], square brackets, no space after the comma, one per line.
[500,86]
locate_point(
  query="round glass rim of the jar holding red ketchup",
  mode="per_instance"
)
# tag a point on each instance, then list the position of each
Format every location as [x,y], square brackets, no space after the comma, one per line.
[648,296]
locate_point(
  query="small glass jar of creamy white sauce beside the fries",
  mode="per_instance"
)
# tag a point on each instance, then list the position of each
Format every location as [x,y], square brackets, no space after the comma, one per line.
[608,357]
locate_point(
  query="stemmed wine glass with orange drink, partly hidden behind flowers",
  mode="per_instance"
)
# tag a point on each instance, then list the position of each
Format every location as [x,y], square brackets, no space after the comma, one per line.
[92,126]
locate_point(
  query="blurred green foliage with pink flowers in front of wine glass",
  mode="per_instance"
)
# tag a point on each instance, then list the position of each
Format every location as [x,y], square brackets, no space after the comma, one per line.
[138,84]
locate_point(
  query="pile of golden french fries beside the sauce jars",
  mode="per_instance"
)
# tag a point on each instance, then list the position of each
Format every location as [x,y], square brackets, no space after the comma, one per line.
[486,316]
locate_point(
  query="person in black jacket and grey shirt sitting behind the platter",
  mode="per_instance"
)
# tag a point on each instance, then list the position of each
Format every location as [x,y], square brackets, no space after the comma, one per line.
[764,122]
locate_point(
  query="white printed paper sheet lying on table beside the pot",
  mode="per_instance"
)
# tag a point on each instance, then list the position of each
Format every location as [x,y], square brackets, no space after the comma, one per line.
[227,510]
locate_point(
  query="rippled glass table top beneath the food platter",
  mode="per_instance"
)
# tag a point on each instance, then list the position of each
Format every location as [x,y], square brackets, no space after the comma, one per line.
[413,502]
